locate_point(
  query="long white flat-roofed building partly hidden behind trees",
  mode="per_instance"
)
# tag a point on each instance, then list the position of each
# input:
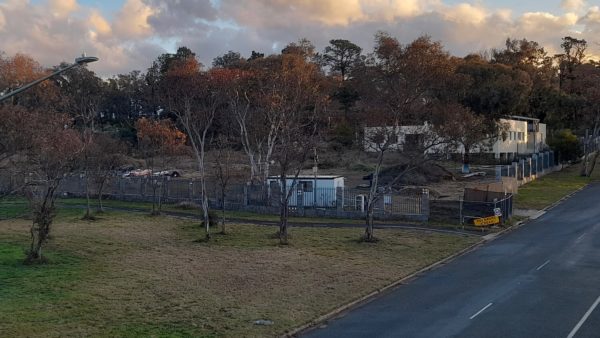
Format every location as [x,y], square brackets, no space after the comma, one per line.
[523,135]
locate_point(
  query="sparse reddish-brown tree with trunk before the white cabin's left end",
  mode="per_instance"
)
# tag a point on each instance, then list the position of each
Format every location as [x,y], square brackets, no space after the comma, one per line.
[293,97]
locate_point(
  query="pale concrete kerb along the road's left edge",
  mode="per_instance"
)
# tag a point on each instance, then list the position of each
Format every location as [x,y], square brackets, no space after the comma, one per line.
[388,288]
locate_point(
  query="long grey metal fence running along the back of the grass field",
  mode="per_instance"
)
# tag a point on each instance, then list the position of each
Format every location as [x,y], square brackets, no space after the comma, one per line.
[318,202]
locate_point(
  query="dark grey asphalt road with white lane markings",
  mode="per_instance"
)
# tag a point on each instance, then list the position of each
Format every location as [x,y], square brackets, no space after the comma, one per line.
[541,280]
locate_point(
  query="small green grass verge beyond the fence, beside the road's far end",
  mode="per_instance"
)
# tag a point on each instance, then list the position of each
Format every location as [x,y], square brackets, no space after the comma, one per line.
[551,188]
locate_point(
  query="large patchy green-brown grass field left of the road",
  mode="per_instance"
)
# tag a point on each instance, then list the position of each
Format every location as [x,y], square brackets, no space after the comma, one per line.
[135,275]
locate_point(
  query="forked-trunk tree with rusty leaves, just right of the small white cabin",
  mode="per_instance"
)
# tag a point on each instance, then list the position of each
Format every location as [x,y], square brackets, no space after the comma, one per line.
[399,86]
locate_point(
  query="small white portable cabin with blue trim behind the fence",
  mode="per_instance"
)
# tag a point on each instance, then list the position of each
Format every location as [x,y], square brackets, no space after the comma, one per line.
[311,191]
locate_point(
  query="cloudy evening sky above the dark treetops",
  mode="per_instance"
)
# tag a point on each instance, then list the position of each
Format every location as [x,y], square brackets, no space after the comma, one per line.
[129,34]
